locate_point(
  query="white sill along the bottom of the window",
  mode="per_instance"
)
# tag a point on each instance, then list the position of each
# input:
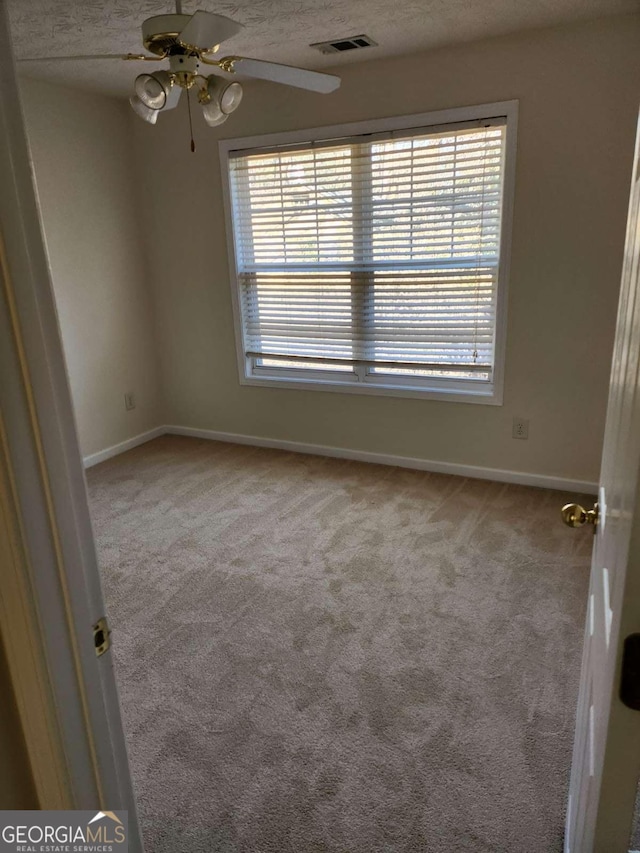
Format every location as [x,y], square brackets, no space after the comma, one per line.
[488,395]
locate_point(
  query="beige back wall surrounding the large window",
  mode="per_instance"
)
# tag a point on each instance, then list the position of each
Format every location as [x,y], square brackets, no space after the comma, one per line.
[578,91]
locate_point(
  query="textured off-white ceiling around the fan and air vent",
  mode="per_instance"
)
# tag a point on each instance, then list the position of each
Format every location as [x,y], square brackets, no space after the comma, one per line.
[279,30]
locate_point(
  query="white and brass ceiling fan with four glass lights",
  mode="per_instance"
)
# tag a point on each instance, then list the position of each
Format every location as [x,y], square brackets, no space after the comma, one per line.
[187,42]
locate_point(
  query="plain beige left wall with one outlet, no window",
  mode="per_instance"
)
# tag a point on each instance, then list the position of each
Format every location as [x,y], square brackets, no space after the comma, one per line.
[82,150]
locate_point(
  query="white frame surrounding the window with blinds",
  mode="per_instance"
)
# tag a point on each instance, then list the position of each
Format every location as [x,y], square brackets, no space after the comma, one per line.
[472,391]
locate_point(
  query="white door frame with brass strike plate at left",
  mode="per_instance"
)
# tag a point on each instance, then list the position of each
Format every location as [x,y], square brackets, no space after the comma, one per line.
[66,694]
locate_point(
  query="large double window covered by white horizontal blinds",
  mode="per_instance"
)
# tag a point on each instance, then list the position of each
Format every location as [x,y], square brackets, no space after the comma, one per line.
[374,262]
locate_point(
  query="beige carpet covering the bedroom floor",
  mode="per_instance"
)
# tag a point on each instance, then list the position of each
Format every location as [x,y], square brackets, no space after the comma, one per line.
[322,655]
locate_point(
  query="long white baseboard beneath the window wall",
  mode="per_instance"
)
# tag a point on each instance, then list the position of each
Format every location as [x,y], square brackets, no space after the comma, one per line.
[498,474]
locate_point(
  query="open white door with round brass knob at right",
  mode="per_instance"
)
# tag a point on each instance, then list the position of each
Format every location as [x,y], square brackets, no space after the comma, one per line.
[606,755]
